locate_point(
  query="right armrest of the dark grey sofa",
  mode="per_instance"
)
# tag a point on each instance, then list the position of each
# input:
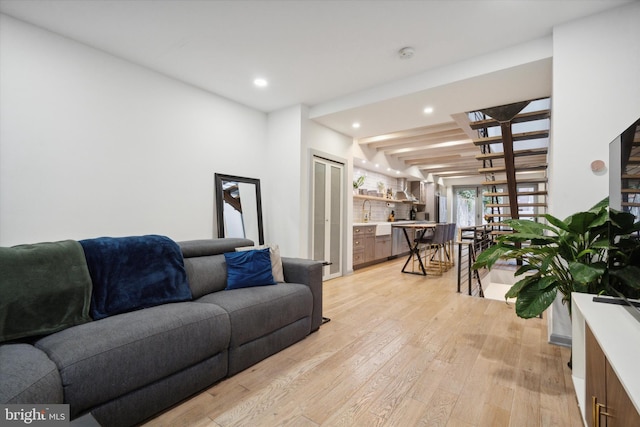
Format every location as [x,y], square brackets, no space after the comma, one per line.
[306,272]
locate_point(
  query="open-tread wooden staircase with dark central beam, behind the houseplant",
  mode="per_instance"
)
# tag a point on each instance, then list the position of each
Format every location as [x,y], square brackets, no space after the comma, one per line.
[514,143]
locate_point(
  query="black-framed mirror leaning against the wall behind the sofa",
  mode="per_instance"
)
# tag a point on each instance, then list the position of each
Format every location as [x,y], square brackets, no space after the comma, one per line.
[239,207]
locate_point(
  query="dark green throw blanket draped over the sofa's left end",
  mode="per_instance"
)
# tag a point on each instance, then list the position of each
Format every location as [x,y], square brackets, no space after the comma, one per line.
[44,288]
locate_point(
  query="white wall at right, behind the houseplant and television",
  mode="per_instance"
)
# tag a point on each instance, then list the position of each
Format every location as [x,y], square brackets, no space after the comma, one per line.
[596,95]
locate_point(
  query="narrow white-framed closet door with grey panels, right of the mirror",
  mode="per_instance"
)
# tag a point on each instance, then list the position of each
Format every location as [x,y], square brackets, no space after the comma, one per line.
[327,196]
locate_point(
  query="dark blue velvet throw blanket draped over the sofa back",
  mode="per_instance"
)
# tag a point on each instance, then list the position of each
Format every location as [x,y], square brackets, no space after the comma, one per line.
[130,273]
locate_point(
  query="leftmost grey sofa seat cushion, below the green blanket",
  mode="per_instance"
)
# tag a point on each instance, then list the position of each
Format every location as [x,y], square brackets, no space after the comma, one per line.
[27,375]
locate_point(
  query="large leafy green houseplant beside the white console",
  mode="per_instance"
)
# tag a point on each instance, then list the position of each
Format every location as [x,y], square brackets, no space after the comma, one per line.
[592,252]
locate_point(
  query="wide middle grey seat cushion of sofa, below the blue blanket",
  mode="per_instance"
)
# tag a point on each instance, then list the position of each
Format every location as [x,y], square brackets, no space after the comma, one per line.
[102,360]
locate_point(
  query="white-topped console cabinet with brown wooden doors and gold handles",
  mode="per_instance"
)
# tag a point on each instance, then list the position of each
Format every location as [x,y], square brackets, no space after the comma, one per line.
[605,352]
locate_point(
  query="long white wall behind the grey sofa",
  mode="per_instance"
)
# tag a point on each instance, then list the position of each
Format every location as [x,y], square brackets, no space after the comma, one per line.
[92,145]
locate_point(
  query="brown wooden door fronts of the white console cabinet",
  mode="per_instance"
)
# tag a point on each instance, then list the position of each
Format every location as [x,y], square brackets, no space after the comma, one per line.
[605,397]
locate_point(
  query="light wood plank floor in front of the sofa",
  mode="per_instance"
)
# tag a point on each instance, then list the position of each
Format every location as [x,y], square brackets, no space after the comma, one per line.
[400,350]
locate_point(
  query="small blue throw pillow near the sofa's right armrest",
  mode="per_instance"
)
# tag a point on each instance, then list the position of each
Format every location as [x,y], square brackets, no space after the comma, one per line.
[249,268]
